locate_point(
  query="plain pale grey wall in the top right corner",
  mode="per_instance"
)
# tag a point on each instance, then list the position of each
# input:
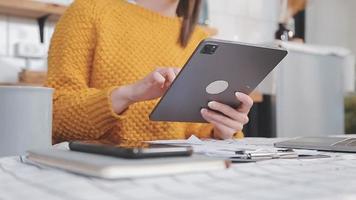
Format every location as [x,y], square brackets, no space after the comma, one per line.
[330,22]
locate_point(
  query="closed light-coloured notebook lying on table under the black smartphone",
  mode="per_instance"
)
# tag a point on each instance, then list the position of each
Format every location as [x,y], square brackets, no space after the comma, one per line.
[116,168]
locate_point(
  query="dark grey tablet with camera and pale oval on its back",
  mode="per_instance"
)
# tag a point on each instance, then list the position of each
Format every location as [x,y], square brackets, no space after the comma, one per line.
[214,72]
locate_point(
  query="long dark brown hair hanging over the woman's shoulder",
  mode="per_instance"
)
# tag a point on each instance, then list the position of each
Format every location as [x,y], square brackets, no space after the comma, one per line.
[189,10]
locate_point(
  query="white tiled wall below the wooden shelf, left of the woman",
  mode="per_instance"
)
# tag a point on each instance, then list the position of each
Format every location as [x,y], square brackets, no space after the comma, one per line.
[15,30]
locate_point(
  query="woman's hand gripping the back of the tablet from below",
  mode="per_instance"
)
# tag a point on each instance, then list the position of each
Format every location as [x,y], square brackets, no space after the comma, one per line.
[226,126]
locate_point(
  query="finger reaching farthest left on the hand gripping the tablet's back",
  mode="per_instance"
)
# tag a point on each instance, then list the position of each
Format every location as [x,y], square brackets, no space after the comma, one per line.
[235,125]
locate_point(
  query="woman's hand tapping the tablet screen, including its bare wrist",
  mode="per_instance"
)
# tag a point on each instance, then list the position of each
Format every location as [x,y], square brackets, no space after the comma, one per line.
[151,87]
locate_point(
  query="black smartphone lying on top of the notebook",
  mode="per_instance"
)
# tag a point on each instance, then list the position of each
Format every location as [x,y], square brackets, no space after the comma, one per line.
[132,151]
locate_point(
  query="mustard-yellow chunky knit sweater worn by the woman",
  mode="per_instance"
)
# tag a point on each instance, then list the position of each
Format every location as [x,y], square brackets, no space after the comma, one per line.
[99,45]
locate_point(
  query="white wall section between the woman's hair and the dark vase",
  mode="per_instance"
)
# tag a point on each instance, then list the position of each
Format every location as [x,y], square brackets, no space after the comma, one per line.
[252,21]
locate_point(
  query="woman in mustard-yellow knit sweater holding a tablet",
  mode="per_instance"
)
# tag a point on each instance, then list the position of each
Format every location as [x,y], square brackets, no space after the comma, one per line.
[107,62]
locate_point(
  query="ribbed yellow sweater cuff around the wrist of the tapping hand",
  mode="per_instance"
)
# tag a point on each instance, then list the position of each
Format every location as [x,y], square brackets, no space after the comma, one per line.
[101,111]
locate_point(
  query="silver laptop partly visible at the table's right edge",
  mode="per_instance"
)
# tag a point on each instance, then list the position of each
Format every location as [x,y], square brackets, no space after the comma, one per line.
[340,144]
